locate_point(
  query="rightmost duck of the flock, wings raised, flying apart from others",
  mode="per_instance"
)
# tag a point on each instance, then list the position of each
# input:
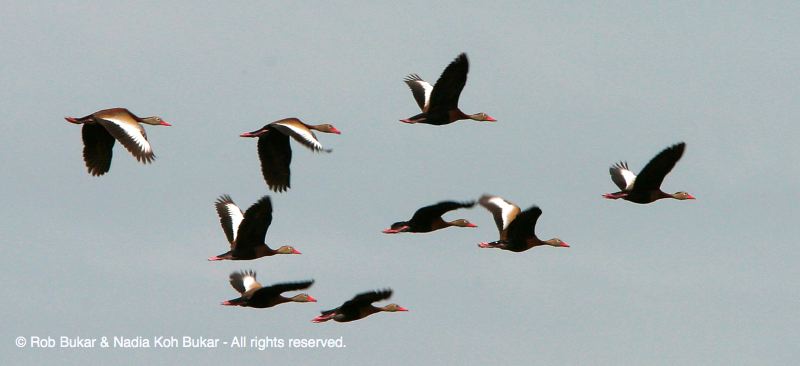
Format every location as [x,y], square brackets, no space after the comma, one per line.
[646,187]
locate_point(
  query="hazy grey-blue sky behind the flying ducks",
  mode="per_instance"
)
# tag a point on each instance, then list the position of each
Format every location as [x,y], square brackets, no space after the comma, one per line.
[575,87]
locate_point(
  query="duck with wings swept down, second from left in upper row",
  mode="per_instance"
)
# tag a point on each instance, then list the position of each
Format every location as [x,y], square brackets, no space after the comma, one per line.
[276,154]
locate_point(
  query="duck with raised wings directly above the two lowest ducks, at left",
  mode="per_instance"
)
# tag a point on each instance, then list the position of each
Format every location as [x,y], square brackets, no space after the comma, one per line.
[246,232]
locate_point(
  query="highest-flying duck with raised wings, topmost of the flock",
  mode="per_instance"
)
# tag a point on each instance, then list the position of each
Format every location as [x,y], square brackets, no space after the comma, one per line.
[439,103]
